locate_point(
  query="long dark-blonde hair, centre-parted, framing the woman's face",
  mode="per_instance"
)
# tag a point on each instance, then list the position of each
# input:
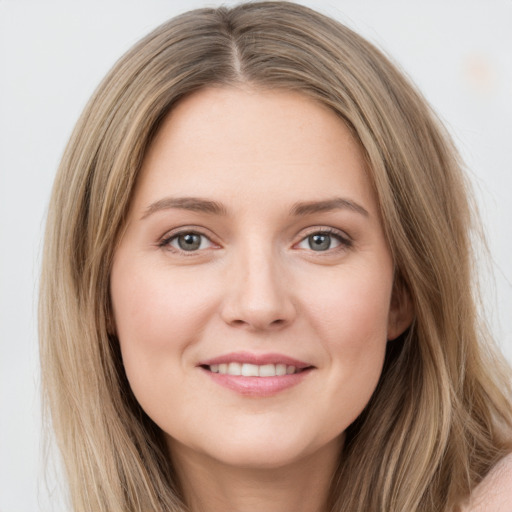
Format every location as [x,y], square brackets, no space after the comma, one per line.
[440,417]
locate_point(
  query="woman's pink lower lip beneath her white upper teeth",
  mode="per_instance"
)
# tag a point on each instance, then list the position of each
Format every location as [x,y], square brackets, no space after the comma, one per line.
[258,386]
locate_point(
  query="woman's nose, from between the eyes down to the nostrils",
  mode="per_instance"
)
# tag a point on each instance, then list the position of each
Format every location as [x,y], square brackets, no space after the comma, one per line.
[259,296]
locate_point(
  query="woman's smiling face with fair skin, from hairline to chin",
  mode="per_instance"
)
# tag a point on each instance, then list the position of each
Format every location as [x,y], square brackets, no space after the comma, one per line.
[252,289]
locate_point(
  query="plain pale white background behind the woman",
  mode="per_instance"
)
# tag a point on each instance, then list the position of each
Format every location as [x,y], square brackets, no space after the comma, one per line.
[53,54]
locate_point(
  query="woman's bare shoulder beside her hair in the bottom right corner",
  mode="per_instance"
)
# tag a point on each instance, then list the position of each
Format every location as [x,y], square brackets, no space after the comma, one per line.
[494,493]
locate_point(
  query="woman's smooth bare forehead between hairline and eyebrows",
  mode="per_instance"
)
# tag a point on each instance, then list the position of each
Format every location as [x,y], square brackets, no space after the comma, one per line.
[244,142]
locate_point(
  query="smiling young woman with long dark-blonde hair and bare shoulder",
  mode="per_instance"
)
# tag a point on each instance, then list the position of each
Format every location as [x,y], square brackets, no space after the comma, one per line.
[257,287]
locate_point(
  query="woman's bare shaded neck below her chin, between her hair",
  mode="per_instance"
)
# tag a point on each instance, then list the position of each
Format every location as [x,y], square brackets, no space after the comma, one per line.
[212,486]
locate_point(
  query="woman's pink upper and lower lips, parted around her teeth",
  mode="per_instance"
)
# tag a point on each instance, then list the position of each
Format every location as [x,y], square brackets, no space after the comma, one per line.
[257,386]
